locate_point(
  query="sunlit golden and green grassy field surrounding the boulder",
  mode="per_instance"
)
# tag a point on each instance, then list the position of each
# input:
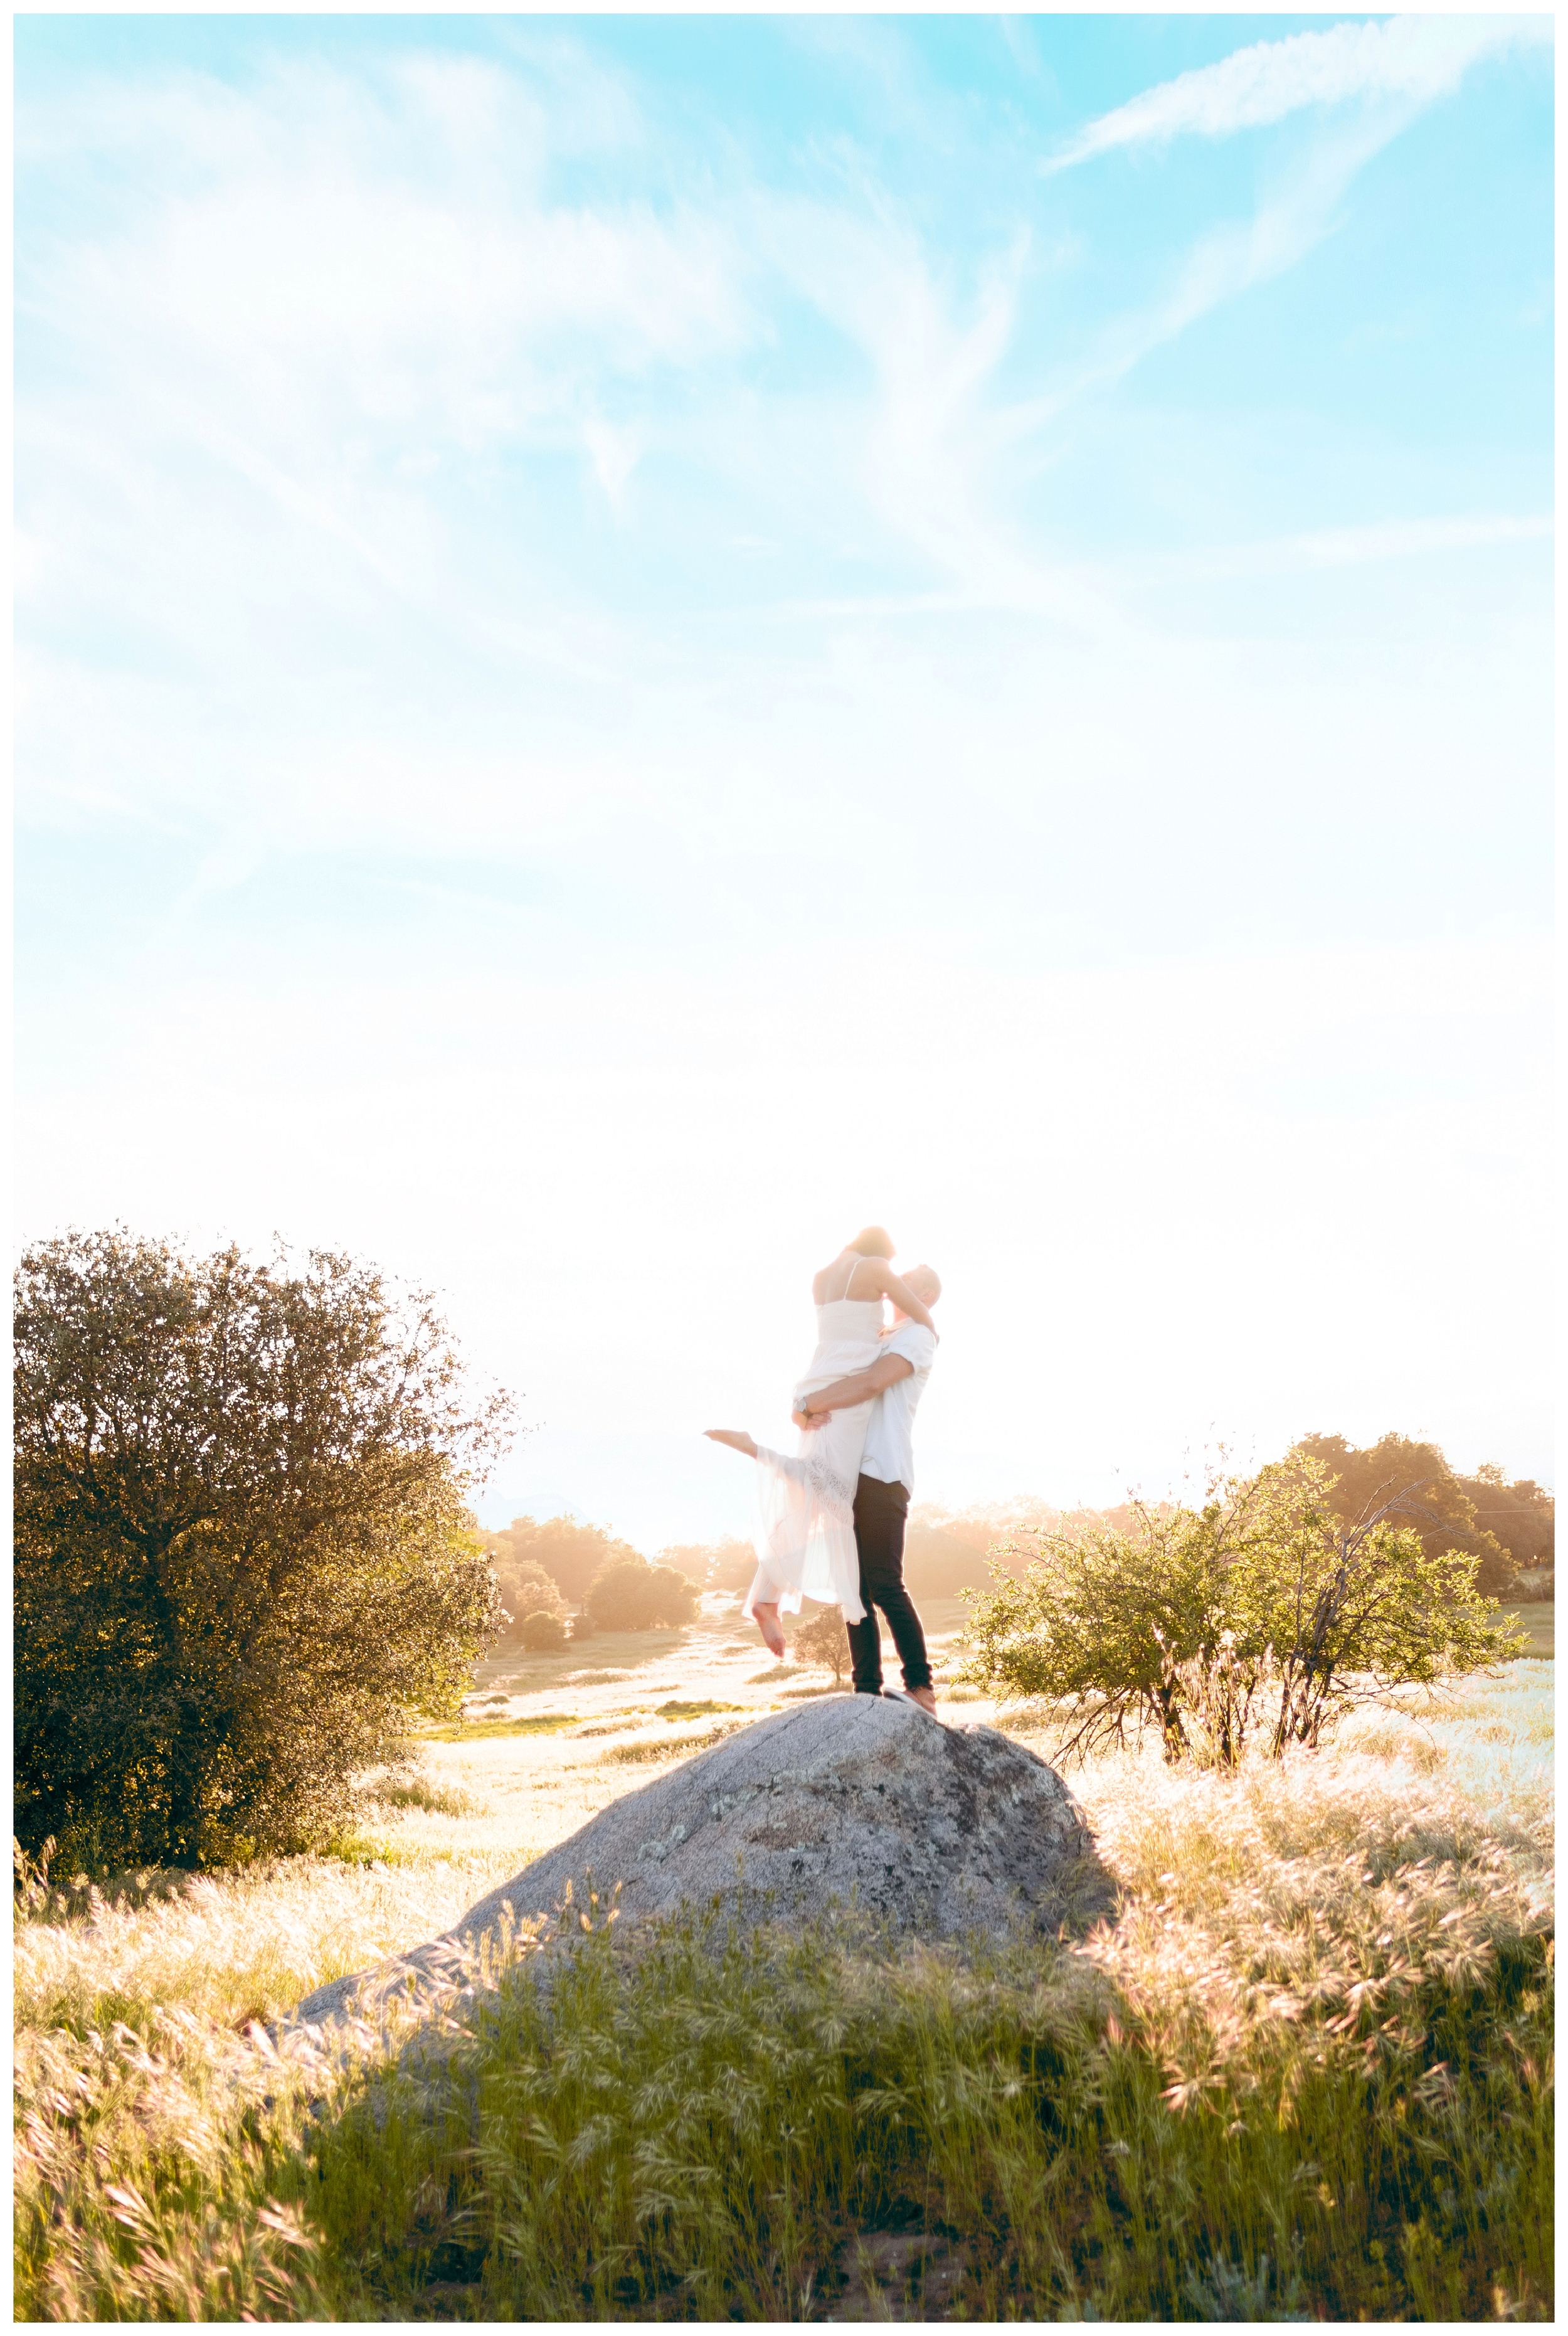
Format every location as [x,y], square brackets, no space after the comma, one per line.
[1307,2071]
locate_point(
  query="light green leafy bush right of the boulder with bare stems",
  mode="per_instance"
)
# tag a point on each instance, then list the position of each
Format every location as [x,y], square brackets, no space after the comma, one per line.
[1258,1611]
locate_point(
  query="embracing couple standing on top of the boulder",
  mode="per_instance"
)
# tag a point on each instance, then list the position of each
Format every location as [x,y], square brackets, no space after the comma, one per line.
[833,1513]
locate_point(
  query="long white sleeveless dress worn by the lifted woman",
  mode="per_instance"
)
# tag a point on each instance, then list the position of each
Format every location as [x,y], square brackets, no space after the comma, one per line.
[807,1501]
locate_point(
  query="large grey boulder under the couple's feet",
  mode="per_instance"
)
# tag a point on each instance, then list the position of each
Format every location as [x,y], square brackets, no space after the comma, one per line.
[849,1800]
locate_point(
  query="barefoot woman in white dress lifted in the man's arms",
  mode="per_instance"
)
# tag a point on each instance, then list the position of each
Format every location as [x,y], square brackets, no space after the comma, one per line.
[807,1499]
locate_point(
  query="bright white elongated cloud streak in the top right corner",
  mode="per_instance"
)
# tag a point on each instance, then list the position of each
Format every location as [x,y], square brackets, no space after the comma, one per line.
[1410,60]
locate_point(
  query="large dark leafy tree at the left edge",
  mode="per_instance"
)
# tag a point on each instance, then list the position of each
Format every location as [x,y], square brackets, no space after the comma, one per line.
[244,1557]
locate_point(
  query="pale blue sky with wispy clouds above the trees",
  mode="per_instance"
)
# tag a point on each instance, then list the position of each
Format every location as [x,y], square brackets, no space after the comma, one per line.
[646,639]
